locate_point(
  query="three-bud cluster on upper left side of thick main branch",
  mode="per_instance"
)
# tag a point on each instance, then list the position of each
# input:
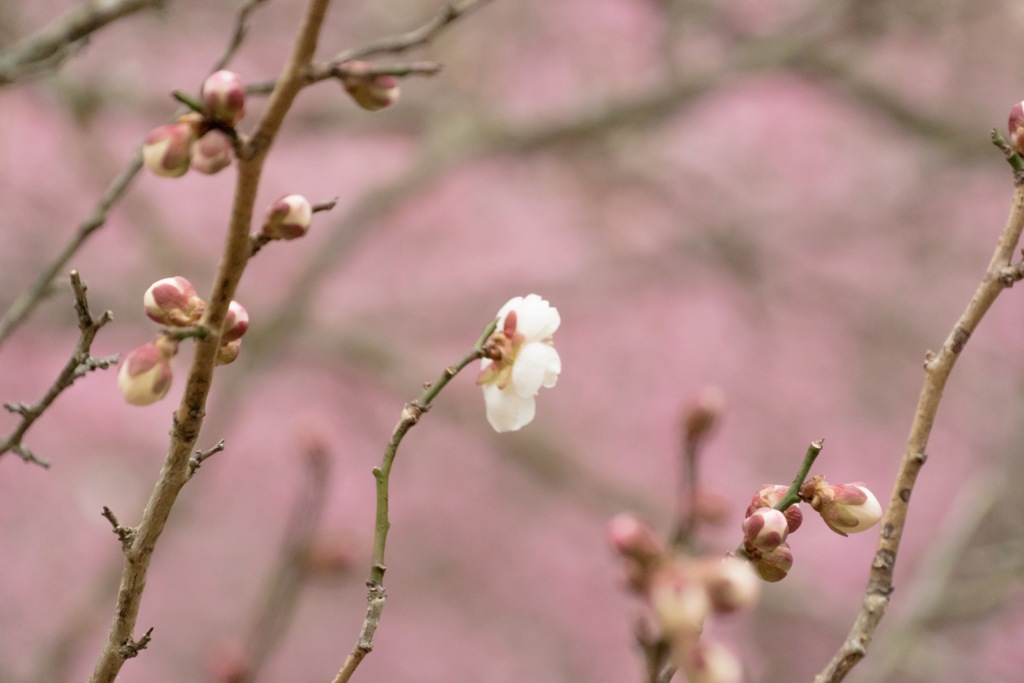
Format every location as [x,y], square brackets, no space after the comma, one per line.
[201,142]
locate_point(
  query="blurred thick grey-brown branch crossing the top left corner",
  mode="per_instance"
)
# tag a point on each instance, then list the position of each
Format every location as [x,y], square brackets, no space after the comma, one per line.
[50,48]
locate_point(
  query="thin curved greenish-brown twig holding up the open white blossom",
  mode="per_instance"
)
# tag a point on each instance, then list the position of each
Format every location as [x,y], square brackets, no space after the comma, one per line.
[376,595]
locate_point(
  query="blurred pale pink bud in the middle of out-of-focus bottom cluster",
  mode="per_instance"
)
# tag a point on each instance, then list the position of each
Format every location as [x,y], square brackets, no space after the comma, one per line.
[679,600]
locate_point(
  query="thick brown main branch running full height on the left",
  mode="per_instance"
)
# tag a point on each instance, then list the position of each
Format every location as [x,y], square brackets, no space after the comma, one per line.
[189,418]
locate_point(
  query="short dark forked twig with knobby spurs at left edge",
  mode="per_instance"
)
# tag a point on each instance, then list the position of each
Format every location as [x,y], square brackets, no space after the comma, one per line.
[78,366]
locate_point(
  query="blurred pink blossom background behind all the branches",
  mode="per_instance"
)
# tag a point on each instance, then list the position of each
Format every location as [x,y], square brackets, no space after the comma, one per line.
[791,200]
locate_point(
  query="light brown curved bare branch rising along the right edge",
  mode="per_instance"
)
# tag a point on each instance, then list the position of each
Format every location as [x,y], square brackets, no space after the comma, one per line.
[937,370]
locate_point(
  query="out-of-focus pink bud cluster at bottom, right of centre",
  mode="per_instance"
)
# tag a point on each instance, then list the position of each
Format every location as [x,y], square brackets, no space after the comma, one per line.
[682,594]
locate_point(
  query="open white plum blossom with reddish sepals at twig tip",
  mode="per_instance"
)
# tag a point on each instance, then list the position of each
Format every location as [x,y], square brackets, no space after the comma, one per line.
[520,359]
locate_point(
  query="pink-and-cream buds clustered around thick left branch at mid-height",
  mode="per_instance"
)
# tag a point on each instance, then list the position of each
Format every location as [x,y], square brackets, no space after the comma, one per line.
[146,373]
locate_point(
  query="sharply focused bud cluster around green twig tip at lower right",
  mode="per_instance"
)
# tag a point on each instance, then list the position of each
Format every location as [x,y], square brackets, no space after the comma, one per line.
[845,508]
